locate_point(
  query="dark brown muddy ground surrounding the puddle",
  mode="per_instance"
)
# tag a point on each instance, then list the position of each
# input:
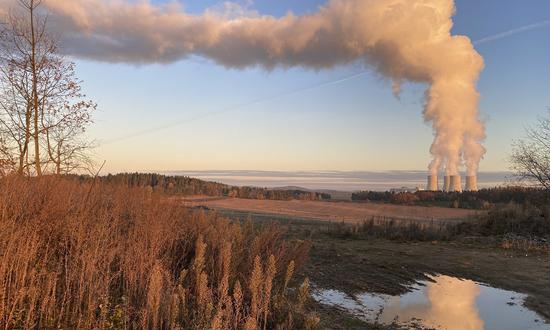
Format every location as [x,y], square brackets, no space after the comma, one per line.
[383,266]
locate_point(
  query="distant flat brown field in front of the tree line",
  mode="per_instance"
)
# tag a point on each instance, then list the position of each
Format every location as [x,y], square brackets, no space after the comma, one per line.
[333,211]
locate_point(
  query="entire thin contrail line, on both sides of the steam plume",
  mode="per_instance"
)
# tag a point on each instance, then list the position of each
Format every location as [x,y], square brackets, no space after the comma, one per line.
[482,41]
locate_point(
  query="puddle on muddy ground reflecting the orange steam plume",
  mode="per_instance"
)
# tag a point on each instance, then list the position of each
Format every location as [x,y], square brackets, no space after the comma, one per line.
[446,303]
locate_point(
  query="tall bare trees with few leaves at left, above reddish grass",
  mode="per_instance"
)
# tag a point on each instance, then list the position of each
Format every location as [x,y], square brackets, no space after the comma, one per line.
[43,112]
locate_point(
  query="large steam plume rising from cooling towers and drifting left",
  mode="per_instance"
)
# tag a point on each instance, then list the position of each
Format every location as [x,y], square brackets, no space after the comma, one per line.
[403,40]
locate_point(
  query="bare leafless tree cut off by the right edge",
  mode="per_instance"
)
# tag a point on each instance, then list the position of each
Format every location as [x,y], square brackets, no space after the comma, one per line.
[530,157]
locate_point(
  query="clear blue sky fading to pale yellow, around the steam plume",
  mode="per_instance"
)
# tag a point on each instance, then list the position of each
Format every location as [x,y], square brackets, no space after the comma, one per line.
[197,115]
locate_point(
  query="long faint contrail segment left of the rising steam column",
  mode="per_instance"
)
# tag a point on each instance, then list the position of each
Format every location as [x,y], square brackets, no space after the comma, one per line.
[236,107]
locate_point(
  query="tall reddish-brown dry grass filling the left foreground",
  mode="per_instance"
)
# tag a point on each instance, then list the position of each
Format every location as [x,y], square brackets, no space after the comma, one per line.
[82,256]
